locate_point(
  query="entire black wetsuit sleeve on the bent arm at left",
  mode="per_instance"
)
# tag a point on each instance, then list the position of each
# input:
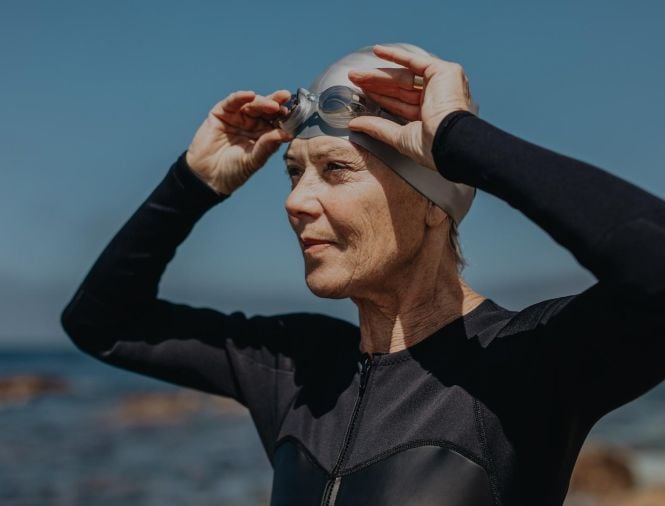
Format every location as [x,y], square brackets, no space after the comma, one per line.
[117,317]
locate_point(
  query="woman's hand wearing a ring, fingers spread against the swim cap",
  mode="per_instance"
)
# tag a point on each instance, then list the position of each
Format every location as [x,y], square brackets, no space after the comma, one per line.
[445,89]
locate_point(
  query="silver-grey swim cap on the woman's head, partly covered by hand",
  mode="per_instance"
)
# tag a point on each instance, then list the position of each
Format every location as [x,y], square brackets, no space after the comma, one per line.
[454,198]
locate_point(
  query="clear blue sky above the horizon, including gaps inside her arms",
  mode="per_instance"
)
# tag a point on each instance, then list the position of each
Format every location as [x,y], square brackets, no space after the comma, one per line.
[98,99]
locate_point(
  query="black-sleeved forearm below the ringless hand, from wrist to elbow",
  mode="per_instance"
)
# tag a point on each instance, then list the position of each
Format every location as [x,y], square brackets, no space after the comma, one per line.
[126,275]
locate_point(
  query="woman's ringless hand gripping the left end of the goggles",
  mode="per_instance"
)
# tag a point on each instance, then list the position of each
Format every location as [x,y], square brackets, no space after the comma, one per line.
[237,138]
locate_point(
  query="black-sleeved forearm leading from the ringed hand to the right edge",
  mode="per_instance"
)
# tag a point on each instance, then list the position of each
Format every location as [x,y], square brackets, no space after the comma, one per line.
[611,226]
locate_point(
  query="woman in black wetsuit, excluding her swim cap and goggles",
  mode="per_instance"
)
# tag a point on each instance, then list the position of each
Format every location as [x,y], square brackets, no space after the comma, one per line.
[441,396]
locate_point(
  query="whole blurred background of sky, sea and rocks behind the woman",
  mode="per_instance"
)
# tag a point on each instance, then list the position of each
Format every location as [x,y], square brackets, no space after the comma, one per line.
[97,100]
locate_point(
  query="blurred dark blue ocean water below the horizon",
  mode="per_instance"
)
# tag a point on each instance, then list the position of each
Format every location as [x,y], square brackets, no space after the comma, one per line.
[105,437]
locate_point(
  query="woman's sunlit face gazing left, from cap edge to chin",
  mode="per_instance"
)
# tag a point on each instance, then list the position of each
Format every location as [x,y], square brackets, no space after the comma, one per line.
[359,224]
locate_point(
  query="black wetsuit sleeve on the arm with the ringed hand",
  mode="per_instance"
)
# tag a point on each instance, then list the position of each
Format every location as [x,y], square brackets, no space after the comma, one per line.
[606,345]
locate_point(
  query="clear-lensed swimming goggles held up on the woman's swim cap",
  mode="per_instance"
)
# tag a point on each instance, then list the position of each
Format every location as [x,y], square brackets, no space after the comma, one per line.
[336,106]
